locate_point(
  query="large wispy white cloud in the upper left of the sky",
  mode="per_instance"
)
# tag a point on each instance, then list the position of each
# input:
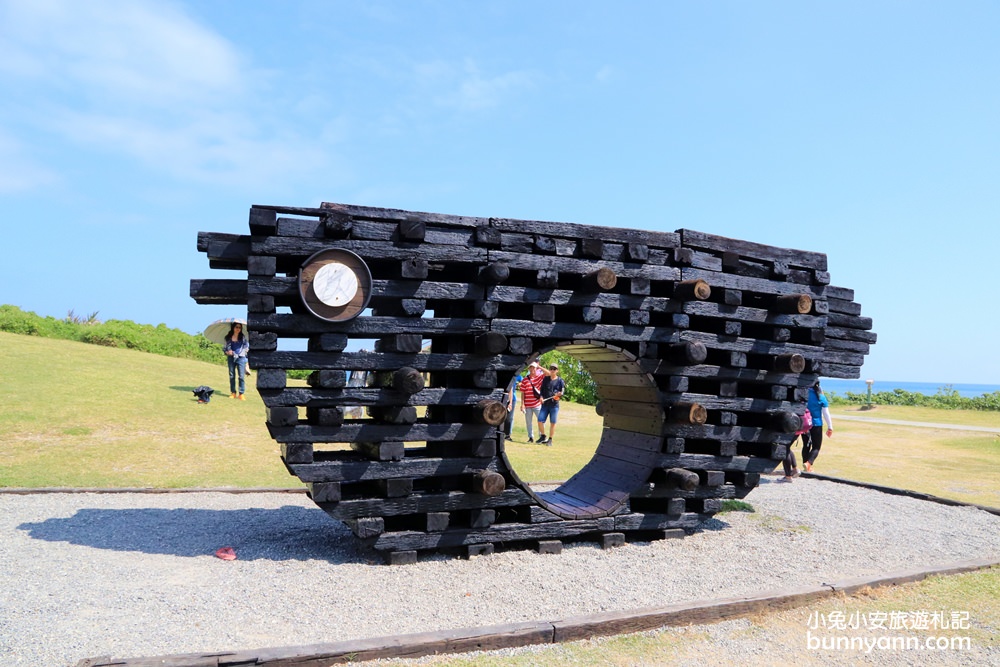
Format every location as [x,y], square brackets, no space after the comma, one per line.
[142,80]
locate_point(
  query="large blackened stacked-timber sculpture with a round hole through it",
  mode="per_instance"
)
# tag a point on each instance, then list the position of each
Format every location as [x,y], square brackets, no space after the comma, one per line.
[702,348]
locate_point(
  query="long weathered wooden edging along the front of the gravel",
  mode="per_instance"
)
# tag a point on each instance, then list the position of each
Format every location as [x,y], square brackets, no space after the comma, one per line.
[517,635]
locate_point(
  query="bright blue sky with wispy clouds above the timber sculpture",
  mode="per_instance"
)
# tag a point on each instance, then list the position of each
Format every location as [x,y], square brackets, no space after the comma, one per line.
[866,130]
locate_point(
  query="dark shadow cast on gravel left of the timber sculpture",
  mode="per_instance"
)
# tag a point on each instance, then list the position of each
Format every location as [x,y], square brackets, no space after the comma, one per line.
[285,533]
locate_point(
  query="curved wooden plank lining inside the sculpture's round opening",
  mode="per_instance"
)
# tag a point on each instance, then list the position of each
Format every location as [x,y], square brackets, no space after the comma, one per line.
[631,437]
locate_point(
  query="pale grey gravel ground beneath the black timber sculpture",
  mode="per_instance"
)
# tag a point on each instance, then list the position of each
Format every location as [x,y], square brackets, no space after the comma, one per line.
[84,575]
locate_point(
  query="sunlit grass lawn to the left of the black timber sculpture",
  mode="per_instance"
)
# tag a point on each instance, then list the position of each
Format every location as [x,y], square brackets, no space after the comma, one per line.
[80,415]
